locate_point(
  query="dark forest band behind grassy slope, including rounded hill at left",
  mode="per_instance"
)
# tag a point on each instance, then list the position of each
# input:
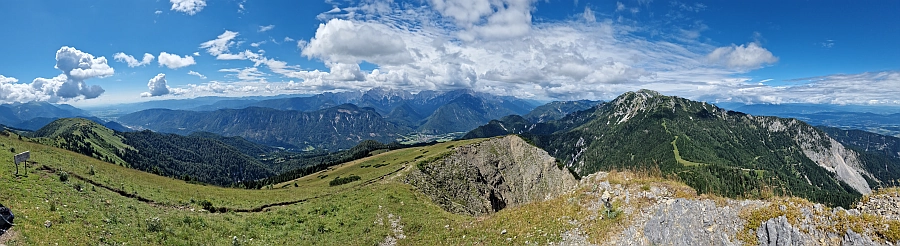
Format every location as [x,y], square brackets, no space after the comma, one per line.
[200,157]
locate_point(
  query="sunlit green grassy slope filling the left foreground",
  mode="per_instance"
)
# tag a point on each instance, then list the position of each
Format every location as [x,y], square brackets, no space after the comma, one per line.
[106,203]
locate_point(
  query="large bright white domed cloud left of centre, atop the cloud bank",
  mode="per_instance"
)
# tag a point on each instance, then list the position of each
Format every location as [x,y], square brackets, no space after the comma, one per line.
[345,41]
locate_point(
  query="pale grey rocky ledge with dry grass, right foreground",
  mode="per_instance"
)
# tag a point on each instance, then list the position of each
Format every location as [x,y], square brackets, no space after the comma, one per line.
[659,212]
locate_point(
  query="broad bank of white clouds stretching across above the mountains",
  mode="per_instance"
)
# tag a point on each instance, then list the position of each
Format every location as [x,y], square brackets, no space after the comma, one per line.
[493,46]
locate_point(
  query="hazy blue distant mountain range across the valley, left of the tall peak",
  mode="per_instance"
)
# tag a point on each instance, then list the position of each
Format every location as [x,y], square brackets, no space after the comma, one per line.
[335,121]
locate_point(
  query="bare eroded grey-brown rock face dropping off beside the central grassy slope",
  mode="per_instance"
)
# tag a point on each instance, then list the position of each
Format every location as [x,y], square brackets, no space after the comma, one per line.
[486,177]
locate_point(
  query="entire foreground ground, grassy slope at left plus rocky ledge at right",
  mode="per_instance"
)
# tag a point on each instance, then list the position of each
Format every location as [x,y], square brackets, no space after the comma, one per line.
[102,203]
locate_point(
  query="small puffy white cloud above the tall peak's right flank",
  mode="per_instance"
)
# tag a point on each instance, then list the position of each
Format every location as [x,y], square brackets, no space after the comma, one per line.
[750,56]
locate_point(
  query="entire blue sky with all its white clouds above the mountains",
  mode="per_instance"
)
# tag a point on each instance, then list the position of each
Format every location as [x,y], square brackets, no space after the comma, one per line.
[93,52]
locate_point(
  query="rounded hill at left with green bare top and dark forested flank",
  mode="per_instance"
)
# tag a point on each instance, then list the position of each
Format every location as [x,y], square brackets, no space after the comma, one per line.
[199,157]
